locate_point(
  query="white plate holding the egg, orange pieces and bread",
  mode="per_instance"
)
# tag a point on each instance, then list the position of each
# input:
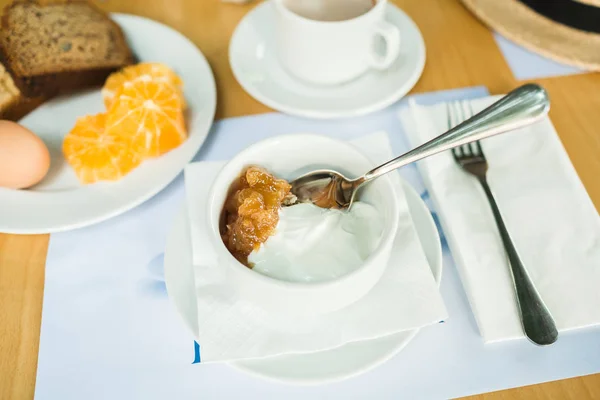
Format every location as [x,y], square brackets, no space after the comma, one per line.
[60,202]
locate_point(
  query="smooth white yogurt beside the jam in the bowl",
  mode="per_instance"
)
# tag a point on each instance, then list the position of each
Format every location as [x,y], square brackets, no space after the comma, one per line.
[312,244]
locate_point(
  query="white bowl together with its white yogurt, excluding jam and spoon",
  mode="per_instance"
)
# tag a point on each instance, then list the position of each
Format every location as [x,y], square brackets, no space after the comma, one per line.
[297,270]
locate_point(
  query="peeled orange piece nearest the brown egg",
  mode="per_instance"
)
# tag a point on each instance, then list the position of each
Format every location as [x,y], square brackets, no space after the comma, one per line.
[95,155]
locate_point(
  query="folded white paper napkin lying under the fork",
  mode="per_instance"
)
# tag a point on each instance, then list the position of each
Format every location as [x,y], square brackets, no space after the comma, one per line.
[552,221]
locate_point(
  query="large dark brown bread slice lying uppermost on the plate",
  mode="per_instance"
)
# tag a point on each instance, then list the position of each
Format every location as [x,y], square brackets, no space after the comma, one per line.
[56,46]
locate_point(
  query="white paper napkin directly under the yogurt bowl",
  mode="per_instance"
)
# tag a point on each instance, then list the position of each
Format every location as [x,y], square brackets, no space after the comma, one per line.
[232,328]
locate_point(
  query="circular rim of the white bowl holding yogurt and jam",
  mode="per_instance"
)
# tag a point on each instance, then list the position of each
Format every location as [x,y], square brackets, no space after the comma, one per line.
[390,225]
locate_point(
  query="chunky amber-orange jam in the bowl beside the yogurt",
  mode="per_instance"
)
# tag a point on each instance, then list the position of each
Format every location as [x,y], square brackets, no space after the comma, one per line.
[251,211]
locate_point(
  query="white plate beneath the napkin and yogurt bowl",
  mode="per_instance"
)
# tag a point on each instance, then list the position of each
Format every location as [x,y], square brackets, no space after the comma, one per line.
[314,368]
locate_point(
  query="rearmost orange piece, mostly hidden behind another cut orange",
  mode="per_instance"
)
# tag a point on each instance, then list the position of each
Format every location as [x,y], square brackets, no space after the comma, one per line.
[143,71]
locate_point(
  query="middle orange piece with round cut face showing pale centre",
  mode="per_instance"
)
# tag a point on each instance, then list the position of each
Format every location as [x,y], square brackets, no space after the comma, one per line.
[149,114]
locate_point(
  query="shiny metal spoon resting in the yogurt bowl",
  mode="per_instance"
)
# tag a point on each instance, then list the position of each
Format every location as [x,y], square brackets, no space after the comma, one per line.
[522,106]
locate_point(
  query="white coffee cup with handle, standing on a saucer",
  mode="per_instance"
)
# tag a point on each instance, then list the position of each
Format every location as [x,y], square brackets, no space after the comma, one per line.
[329,52]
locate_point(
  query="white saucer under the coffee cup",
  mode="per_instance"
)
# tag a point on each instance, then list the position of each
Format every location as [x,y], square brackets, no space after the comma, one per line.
[256,68]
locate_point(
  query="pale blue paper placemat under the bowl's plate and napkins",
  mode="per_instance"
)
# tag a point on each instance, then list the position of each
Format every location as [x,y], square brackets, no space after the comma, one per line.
[109,330]
